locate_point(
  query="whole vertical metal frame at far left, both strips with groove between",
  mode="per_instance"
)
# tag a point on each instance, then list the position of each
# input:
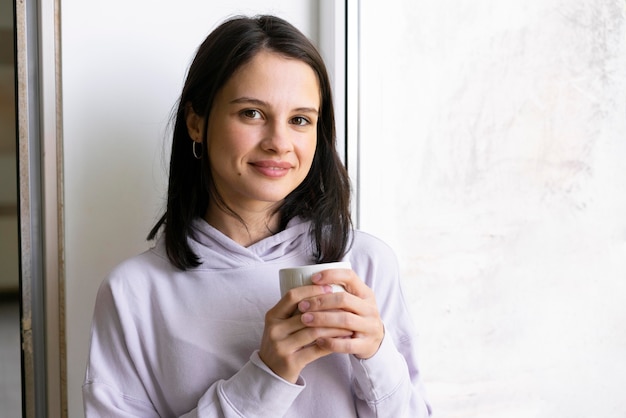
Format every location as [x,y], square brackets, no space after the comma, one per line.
[37,27]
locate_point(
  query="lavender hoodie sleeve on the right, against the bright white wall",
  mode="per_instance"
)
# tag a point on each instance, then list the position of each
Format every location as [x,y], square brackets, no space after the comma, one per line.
[389,383]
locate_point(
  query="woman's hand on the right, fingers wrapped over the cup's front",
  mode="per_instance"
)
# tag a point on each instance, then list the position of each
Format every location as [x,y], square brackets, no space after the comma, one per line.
[354,310]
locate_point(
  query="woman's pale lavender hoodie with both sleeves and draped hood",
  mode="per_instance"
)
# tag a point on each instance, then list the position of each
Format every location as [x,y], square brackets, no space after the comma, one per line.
[168,343]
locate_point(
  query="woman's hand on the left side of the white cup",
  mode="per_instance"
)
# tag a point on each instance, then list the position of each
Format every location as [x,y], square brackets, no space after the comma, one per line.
[288,345]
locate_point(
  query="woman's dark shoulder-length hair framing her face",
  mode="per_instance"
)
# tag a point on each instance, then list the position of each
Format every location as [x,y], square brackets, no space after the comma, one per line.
[324,195]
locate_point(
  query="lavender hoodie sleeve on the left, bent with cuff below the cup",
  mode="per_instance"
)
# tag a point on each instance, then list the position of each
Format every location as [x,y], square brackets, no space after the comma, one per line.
[117,384]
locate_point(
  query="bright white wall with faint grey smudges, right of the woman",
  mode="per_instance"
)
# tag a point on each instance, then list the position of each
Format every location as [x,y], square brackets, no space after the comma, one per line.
[492,146]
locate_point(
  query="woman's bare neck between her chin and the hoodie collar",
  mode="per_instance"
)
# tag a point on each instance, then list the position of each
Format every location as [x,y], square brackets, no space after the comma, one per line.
[256,225]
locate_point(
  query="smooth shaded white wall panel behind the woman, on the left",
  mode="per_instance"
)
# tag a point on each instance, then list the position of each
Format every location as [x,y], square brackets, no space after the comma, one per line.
[123,64]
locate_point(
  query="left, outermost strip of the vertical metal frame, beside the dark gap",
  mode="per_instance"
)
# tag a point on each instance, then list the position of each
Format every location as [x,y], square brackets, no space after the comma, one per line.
[30,209]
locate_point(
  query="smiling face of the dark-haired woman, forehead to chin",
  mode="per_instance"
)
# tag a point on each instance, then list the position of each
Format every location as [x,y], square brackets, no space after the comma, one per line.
[262,131]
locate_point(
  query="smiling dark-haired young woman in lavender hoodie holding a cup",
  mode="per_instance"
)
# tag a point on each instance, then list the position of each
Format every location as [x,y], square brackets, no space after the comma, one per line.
[196,326]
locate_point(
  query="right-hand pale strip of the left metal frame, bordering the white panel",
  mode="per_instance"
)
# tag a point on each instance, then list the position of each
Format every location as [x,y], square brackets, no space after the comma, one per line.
[52,170]
